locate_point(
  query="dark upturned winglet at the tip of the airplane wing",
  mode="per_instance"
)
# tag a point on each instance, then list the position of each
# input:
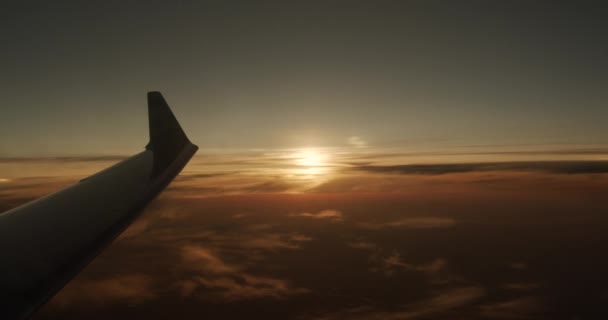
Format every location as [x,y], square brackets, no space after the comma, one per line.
[166,135]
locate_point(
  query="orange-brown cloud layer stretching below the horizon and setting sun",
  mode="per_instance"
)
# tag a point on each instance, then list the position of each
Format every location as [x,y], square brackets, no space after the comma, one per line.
[392,242]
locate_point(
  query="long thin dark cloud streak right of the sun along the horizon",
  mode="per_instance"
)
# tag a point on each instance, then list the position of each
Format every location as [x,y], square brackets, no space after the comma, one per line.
[560,167]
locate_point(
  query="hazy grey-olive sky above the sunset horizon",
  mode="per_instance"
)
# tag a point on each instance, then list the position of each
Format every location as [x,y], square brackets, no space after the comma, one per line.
[415,75]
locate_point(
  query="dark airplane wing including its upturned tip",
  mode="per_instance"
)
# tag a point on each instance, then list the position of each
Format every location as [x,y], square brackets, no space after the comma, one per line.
[46,242]
